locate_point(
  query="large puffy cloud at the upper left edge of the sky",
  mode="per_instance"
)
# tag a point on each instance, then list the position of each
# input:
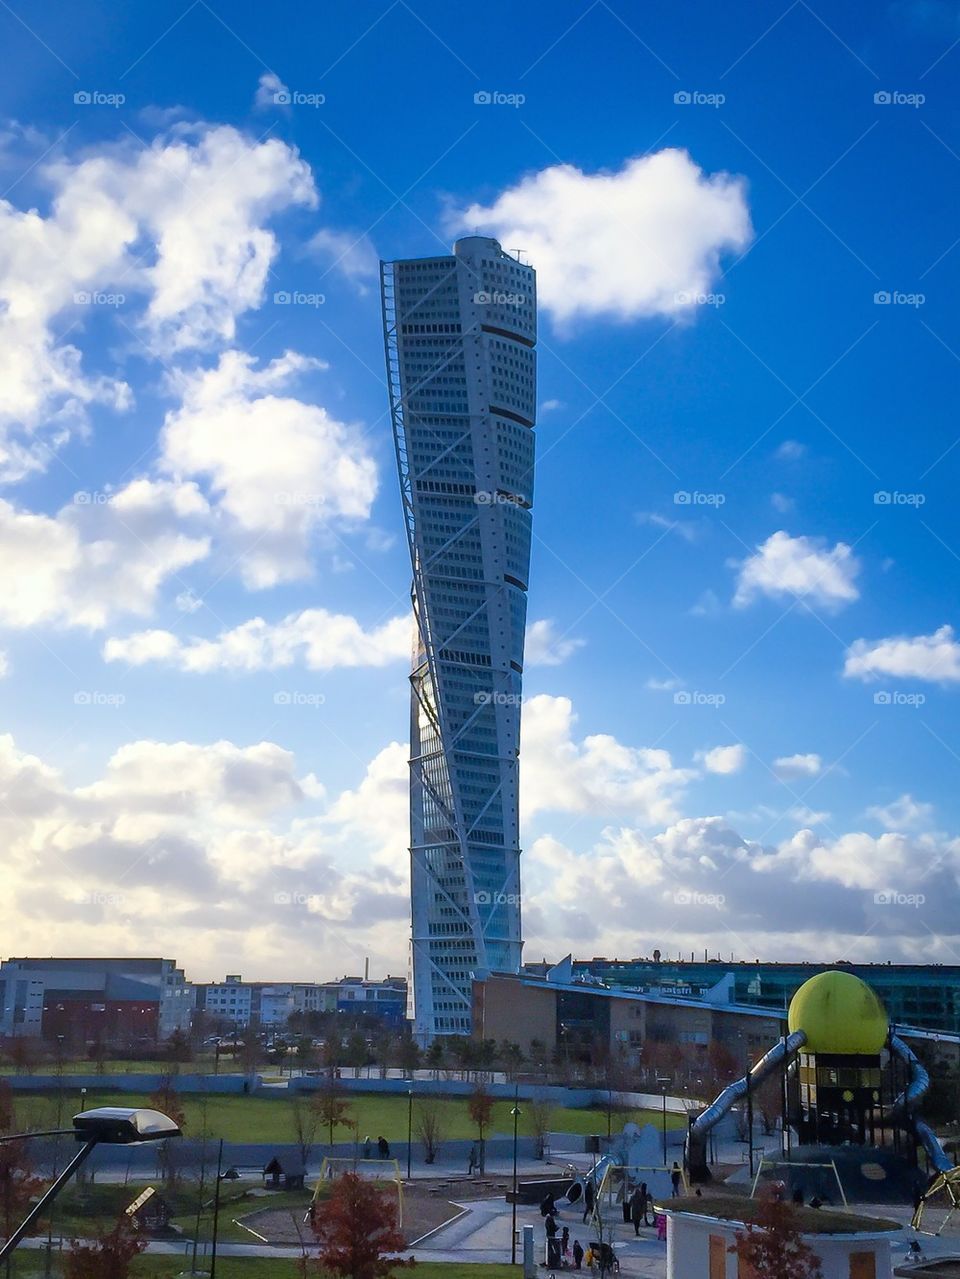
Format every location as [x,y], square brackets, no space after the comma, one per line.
[180,224]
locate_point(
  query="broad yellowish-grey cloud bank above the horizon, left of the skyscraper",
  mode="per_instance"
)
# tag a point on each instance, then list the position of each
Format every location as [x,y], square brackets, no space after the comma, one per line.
[214,852]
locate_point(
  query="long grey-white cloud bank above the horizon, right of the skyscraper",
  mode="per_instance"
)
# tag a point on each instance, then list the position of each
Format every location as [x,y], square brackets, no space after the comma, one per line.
[700,883]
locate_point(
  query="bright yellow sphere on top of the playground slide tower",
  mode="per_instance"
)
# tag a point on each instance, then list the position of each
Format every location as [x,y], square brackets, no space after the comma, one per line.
[839,1014]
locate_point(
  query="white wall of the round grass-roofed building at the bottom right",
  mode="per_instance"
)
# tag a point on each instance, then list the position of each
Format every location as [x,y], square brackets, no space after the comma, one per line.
[688,1249]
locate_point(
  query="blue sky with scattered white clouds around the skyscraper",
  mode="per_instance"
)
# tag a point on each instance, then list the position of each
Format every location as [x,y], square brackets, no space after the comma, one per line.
[718,204]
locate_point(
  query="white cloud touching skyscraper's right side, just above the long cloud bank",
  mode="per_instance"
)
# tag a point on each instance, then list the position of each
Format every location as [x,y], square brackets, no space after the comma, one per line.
[596,776]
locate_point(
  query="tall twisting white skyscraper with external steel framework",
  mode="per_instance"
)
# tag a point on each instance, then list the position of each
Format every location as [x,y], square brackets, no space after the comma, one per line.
[462,373]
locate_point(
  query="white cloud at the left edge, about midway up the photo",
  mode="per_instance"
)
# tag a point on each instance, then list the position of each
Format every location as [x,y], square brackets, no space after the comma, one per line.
[95,561]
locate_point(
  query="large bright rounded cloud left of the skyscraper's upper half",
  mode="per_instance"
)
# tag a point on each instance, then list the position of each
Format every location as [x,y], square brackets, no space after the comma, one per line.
[278,467]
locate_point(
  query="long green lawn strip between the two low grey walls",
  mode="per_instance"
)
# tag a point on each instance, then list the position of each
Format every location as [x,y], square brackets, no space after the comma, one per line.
[265,1120]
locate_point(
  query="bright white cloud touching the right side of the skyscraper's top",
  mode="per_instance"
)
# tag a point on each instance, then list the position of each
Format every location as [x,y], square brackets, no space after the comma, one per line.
[644,241]
